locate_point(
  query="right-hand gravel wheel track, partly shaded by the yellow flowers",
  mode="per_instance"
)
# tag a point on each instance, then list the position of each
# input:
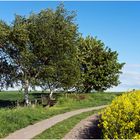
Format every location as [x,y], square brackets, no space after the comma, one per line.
[86,129]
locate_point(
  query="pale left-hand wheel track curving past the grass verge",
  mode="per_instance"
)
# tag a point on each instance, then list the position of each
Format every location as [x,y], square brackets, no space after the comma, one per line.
[33,130]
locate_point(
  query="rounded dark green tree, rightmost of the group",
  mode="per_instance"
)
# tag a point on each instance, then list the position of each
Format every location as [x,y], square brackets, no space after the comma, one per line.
[100,68]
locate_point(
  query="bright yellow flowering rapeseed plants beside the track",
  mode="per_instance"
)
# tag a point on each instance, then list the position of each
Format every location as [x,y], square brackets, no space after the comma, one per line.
[121,120]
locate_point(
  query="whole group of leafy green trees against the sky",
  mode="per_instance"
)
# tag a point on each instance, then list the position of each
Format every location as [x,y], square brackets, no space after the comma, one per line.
[47,50]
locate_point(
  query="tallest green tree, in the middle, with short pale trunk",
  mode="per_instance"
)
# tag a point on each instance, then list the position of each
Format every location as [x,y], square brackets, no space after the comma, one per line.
[57,35]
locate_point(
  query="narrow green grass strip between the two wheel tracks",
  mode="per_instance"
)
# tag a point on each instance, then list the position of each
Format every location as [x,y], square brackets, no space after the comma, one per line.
[59,130]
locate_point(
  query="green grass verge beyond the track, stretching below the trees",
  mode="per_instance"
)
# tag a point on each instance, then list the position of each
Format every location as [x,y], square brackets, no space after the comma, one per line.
[16,118]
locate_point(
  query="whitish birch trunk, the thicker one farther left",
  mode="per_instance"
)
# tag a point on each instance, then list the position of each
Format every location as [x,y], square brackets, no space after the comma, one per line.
[26,93]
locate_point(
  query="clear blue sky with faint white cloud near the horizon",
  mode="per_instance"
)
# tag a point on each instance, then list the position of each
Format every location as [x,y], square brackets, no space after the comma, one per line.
[117,24]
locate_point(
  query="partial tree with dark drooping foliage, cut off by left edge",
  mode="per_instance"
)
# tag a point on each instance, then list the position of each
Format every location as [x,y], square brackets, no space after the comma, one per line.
[7,70]
